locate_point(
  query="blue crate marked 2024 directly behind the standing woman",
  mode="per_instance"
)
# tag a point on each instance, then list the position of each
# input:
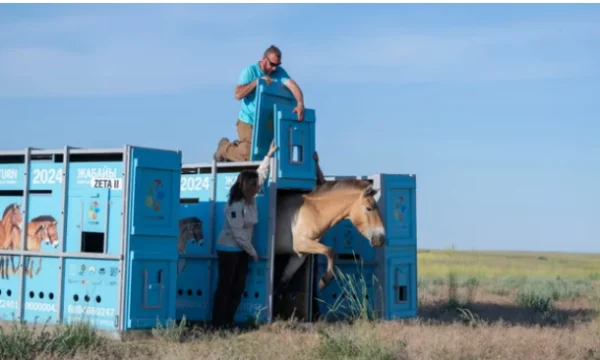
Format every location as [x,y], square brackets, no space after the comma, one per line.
[204,193]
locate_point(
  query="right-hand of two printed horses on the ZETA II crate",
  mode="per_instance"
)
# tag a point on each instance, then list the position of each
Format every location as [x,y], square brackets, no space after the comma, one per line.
[40,229]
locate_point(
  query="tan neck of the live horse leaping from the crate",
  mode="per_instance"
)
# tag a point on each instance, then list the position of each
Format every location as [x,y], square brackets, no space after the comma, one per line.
[331,208]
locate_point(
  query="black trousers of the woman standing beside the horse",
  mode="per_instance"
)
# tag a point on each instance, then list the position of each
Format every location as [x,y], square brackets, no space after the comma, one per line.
[233,270]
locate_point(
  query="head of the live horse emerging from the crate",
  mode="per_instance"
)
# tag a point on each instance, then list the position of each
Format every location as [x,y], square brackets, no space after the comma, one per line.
[365,216]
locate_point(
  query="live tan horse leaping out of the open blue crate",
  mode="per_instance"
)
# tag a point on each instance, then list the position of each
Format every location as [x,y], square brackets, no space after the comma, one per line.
[303,219]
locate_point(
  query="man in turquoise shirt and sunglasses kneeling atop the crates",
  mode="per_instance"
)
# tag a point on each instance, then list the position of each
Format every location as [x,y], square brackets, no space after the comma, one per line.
[269,69]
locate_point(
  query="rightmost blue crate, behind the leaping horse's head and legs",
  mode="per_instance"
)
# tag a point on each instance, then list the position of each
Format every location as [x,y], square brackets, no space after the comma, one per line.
[392,267]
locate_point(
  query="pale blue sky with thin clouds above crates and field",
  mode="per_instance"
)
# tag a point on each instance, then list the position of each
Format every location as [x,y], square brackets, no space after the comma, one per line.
[494,107]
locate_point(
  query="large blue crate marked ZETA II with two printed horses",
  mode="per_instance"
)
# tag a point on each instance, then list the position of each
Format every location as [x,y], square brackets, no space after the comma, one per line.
[89,235]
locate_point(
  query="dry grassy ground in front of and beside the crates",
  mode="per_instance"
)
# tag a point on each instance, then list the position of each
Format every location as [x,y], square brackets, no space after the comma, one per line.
[463,315]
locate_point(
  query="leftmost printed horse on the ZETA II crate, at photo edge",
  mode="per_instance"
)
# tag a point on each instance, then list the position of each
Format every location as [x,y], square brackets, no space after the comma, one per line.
[10,234]
